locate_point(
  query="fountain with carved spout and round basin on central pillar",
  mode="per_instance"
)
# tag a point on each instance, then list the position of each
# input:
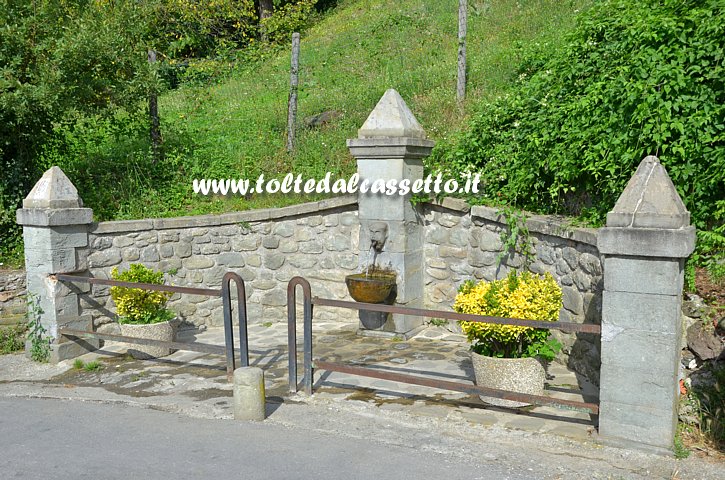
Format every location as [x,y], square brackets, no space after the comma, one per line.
[374,284]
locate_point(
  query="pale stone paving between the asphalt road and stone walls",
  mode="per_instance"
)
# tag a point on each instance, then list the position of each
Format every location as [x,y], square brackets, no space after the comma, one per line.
[549,442]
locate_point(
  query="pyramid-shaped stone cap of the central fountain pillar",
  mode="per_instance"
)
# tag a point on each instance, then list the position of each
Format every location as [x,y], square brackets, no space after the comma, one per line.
[391,117]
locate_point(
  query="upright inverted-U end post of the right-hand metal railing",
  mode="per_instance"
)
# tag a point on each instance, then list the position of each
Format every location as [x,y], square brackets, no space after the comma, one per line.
[292,333]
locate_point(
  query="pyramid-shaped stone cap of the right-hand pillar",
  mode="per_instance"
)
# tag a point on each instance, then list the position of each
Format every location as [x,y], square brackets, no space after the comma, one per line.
[650,200]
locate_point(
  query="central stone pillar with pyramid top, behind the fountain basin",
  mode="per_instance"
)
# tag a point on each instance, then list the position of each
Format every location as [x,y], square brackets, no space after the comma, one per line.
[391,145]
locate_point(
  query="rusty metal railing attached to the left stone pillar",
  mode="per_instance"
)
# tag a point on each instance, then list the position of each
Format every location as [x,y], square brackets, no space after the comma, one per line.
[224,292]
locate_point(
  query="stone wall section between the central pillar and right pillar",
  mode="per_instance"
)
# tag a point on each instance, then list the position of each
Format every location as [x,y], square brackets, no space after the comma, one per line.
[463,243]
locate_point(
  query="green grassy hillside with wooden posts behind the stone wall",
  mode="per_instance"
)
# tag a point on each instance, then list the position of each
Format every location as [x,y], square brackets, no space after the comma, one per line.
[235,125]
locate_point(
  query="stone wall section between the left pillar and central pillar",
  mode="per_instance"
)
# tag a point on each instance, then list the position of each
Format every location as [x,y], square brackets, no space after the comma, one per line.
[266,247]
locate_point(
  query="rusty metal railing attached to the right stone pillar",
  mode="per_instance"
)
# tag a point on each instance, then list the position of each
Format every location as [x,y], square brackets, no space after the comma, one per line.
[310,365]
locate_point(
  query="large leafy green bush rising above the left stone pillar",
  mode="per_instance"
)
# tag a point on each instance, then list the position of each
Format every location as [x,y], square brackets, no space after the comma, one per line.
[59,60]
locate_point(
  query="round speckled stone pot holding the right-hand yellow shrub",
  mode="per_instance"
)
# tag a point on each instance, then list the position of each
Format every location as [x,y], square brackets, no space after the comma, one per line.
[522,375]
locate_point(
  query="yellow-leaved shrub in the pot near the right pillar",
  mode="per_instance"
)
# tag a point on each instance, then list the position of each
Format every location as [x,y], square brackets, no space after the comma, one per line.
[524,296]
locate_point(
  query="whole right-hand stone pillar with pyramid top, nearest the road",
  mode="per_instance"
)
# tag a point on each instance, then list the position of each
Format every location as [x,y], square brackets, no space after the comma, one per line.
[645,243]
